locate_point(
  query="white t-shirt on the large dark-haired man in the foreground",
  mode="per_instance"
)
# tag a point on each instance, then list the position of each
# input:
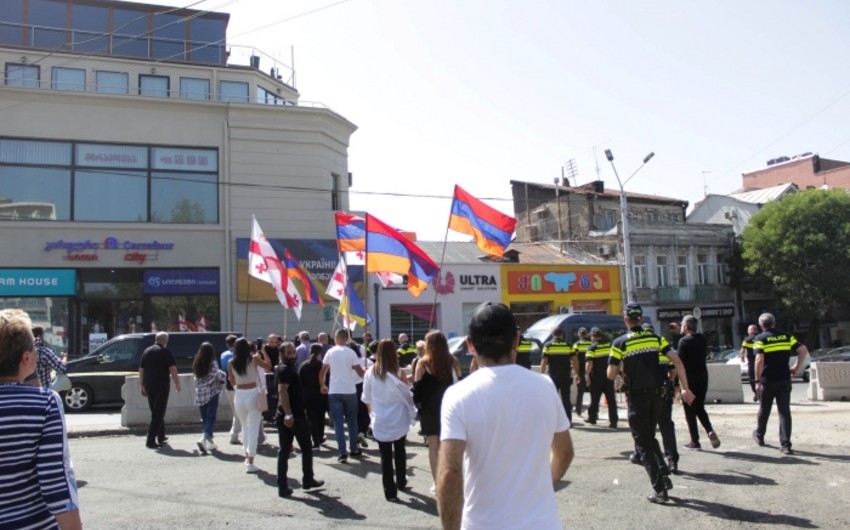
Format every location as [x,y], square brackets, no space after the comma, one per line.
[507,475]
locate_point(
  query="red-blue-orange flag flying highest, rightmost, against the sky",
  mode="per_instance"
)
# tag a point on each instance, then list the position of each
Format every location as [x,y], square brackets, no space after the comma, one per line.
[491,228]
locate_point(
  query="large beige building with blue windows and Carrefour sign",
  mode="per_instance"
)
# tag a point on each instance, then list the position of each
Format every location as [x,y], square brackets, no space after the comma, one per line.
[132,159]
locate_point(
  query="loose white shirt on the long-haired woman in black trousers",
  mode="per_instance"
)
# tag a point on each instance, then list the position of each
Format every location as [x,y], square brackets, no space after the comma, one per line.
[393,411]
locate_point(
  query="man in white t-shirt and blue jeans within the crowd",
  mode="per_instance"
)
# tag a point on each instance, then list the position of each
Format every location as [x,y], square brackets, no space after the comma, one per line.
[346,370]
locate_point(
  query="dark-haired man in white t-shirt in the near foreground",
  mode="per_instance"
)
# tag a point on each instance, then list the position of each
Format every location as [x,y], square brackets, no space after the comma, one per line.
[500,457]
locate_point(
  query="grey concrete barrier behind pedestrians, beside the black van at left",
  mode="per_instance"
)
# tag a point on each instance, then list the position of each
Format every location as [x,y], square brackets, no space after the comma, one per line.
[181,405]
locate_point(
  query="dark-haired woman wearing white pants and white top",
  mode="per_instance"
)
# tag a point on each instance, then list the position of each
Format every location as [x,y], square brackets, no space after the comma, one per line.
[242,373]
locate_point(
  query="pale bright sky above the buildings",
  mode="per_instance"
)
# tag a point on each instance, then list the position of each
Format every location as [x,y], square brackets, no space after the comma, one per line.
[481,92]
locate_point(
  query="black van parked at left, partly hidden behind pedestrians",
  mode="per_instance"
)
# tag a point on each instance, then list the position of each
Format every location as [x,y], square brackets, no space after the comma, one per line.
[98,376]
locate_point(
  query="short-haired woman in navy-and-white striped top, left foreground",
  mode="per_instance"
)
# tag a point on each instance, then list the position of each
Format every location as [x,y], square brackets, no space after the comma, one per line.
[38,489]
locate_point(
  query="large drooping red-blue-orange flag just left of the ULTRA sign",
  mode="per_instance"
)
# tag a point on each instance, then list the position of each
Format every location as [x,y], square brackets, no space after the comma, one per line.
[387,250]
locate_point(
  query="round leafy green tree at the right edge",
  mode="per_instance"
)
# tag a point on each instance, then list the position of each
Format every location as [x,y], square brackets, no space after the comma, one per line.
[801,245]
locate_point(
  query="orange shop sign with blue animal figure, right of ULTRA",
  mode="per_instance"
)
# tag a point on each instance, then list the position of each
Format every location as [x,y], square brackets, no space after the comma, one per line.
[561,281]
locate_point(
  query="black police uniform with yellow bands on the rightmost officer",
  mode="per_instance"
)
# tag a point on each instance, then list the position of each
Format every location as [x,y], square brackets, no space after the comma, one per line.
[776,346]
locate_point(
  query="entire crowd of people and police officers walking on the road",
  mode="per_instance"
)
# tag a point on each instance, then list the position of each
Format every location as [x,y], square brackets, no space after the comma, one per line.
[382,388]
